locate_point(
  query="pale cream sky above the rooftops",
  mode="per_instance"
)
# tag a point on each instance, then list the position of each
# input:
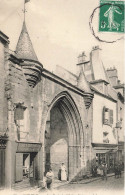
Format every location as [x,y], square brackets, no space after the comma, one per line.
[60,31]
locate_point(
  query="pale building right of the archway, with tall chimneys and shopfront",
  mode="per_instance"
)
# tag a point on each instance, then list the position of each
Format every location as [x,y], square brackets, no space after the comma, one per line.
[107,110]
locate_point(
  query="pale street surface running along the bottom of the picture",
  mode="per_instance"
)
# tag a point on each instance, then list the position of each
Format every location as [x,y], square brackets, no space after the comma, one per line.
[113,186]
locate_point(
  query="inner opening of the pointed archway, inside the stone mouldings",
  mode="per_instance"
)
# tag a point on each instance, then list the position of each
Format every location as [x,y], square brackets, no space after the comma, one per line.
[56,136]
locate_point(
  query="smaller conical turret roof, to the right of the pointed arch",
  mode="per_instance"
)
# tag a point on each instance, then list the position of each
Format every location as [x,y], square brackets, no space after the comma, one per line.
[82,82]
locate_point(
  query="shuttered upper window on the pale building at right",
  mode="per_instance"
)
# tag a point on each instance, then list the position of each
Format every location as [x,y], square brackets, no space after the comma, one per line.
[107,116]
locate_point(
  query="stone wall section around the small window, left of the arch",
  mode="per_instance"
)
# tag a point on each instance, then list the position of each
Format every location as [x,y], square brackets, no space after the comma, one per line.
[18,92]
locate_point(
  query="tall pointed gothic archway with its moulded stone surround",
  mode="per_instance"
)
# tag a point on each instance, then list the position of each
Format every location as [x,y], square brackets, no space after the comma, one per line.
[64,136]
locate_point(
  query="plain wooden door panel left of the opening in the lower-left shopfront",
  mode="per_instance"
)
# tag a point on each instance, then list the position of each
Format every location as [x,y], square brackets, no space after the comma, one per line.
[19,167]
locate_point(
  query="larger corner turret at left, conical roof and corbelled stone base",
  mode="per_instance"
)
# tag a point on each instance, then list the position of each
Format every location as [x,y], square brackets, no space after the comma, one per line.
[31,66]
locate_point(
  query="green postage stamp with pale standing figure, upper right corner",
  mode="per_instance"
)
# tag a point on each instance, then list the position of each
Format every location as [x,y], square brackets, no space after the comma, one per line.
[111,16]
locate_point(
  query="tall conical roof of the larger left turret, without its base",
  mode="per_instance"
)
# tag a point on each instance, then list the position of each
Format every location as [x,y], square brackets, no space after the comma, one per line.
[24,48]
